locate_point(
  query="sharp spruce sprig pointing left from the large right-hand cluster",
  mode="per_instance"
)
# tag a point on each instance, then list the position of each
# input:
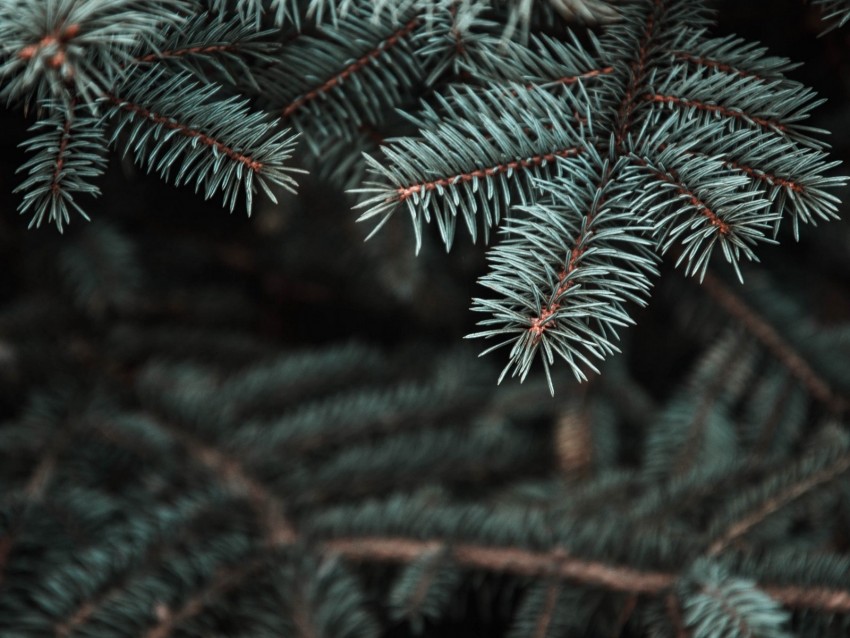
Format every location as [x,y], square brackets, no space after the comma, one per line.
[484,158]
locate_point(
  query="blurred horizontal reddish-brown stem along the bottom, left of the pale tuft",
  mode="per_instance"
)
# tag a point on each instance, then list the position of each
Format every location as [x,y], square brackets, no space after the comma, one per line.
[513,560]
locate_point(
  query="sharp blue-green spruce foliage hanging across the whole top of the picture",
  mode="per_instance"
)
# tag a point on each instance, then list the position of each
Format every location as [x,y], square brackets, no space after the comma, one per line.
[704,140]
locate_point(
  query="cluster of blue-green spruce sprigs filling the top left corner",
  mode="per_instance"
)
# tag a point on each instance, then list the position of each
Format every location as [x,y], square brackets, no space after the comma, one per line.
[72,57]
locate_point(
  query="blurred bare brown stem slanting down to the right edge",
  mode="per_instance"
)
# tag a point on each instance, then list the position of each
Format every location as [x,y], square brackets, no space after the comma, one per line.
[773,341]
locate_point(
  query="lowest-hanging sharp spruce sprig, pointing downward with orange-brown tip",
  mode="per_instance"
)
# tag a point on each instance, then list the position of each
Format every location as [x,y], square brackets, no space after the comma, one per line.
[570,299]
